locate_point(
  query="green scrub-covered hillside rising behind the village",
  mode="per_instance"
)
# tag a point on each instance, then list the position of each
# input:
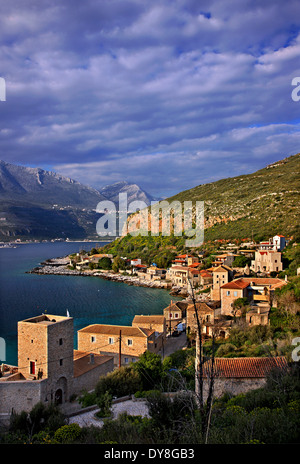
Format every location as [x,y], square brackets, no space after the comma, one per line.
[258,205]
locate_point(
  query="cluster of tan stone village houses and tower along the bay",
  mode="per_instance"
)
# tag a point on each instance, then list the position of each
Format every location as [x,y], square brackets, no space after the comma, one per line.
[49,369]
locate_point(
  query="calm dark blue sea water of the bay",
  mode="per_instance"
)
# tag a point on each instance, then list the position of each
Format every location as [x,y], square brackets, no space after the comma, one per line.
[89,300]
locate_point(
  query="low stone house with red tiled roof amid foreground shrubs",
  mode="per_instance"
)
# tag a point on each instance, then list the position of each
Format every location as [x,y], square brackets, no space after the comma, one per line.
[239,375]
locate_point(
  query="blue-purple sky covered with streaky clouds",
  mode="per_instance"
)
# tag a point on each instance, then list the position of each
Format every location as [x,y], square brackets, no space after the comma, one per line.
[167,94]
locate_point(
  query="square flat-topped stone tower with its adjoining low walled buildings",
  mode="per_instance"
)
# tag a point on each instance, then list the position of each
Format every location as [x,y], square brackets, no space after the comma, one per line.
[49,369]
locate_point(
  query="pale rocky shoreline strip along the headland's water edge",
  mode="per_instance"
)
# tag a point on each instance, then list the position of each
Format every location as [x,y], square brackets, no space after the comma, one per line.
[58,266]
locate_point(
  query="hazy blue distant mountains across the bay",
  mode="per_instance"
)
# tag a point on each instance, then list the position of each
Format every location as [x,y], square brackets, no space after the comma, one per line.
[39,204]
